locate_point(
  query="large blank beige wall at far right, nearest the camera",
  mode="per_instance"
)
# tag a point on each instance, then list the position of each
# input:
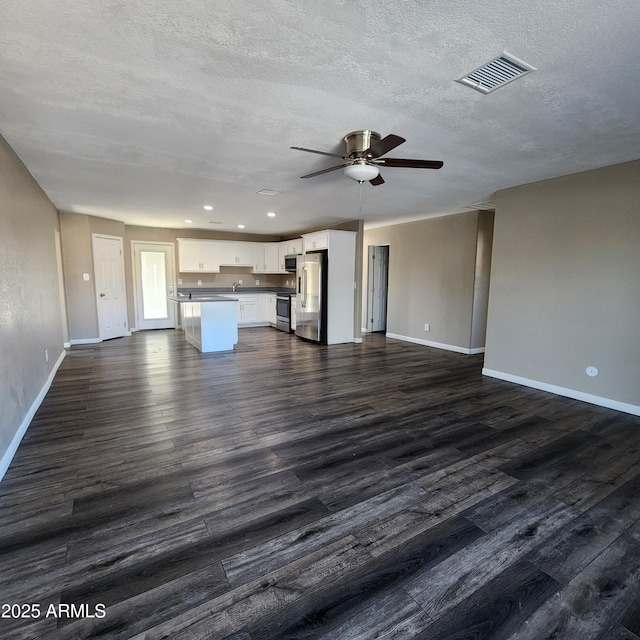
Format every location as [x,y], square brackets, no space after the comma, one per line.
[565,284]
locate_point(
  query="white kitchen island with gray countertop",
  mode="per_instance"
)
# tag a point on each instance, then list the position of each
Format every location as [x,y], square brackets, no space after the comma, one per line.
[210,323]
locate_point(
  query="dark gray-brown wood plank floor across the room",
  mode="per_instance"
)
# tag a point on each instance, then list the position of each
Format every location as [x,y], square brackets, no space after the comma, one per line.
[382,490]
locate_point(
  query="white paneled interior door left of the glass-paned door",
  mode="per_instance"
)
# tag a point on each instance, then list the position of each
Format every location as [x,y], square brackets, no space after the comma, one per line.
[111,302]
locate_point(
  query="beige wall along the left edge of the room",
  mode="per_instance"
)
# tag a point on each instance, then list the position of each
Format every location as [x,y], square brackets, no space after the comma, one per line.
[30,314]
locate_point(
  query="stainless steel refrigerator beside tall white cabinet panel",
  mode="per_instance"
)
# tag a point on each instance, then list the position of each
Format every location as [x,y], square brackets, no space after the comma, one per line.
[311,308]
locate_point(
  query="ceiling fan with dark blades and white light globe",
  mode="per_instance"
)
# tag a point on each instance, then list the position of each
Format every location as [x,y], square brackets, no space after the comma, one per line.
[363,160]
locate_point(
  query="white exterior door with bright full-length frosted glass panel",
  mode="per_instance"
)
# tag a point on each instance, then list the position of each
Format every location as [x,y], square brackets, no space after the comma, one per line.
[154,278]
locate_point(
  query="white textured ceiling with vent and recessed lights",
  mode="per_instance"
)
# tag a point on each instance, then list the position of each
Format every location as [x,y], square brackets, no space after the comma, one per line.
[145,111]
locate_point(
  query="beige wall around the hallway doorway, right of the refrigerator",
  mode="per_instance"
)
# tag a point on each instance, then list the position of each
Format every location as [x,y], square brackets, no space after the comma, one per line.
[432,276]
